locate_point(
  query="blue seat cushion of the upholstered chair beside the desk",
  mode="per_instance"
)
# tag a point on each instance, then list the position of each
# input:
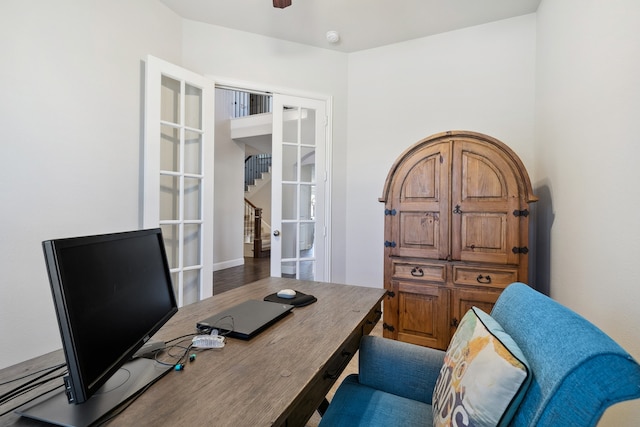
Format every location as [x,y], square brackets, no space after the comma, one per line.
[356,405]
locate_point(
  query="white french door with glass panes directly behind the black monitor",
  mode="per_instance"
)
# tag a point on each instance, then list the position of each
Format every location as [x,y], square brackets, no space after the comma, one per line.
[178,173]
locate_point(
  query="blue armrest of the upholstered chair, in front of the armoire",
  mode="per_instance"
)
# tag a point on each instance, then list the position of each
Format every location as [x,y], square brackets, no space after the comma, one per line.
[399,368]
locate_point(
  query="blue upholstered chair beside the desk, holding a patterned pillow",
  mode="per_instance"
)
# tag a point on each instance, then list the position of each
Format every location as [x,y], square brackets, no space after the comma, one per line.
[576,371]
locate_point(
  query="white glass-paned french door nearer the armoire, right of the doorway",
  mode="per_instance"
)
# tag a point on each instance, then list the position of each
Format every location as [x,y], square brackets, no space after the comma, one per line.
[299,210]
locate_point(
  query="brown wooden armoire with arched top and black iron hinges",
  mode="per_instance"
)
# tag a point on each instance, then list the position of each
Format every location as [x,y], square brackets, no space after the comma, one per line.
[456,233]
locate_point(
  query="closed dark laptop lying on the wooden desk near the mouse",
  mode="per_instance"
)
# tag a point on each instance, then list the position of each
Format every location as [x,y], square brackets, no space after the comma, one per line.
[246,319]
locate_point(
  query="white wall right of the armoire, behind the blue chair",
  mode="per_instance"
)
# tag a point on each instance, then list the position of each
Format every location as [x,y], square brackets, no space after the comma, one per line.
[588,110]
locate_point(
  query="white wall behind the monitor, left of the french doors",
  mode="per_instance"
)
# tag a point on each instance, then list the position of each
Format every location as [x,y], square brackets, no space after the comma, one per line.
[70,115]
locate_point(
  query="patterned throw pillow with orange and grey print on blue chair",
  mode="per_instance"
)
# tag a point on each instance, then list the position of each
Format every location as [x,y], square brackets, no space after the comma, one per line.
[484,376]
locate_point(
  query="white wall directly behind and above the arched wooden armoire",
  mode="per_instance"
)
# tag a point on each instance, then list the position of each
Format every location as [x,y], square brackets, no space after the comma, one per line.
[479,79]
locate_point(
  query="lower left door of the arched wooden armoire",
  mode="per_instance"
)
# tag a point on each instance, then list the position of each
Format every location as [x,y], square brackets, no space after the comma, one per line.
[423,315]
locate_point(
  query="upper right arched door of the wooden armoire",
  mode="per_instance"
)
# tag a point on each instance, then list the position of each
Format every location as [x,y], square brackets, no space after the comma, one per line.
[484,195]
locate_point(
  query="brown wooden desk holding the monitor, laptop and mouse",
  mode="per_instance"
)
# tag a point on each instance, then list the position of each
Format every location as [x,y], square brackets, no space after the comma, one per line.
[279,378]
